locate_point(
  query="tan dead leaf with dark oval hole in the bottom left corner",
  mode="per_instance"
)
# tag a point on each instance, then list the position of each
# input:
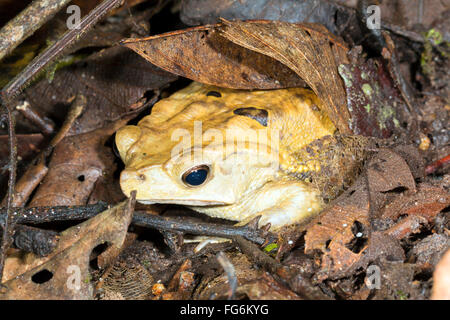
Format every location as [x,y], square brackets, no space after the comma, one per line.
[65,273]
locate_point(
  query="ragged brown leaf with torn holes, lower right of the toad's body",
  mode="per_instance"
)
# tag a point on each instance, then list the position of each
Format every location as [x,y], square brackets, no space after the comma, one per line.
[343,232]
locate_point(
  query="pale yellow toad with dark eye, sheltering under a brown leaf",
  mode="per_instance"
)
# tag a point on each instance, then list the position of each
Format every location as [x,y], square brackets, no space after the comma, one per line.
[227,153]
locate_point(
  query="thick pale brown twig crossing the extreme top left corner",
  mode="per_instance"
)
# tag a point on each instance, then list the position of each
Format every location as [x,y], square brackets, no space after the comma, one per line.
[27,22]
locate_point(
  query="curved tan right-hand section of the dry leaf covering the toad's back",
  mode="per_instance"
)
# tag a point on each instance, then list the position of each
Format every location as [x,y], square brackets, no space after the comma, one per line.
[308,49]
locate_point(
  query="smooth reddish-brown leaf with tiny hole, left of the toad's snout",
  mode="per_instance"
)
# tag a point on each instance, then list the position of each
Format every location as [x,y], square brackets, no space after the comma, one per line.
[77,164]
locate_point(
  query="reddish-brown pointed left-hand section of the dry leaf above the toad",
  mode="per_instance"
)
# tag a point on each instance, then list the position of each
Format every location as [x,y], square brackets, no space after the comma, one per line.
[203,55]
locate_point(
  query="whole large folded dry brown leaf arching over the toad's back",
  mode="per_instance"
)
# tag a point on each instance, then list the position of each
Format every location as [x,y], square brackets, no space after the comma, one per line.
[255,54]
